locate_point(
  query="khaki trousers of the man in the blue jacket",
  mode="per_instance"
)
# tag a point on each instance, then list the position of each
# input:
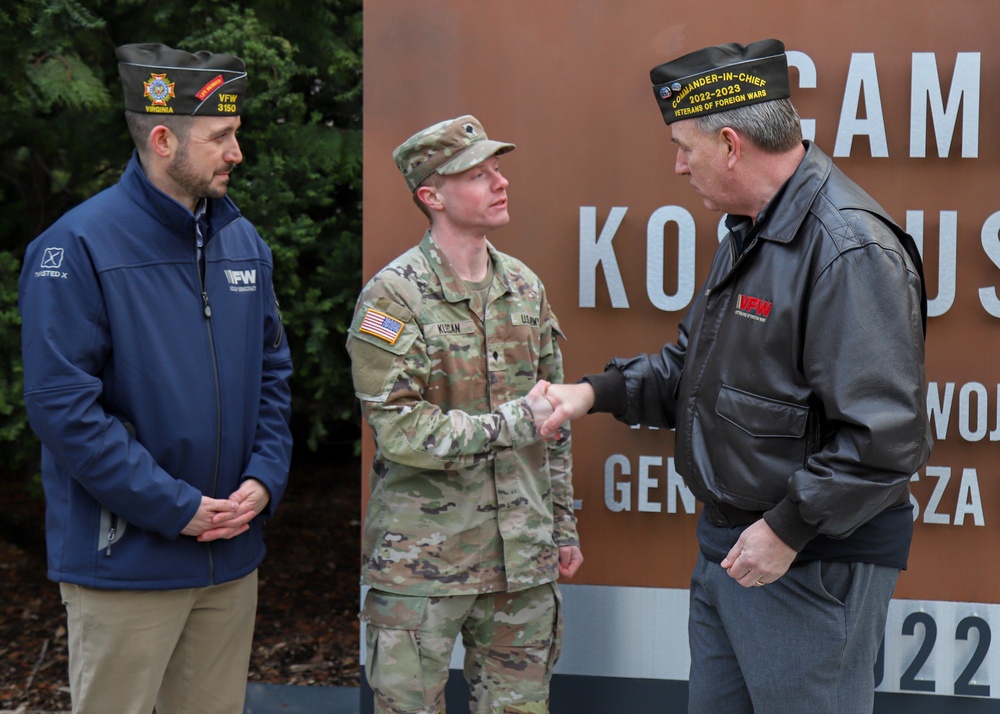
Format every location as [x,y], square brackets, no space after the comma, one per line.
[185,651]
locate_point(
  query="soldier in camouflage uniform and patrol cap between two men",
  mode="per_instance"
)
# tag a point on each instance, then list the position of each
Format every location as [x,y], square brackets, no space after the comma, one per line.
[470,521]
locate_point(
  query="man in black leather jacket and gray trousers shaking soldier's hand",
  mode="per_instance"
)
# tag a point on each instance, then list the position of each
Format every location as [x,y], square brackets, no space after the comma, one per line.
[796,388]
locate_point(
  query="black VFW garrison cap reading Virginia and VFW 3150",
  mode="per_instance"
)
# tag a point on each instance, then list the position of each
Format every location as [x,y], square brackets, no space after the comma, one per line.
[160,80]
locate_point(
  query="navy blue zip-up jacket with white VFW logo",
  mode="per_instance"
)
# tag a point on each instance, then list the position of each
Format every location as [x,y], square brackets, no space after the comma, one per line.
[150,386]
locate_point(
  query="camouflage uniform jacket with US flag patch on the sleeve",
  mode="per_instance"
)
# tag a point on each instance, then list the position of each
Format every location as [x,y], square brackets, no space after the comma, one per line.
[465,496]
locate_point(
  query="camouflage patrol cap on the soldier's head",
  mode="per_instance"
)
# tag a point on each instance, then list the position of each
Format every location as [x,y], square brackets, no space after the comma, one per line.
[448,147]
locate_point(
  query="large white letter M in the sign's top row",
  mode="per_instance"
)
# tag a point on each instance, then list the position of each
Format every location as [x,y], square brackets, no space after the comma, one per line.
[925,93]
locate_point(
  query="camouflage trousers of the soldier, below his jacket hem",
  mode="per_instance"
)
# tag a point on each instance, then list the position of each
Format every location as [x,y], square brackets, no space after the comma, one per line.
[511,641]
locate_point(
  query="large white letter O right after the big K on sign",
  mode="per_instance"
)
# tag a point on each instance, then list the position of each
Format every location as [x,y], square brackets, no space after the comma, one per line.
[655,262]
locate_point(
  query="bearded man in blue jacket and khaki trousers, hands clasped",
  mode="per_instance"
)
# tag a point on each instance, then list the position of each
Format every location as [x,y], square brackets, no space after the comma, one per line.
[156,376]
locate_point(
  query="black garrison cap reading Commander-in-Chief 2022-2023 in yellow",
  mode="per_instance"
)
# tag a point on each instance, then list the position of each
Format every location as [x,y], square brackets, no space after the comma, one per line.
[720,78]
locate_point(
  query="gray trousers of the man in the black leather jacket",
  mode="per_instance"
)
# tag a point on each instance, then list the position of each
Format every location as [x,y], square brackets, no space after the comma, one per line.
[805,643]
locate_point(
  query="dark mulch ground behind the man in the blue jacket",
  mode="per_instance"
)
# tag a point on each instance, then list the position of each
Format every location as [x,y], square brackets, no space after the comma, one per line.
[307,625]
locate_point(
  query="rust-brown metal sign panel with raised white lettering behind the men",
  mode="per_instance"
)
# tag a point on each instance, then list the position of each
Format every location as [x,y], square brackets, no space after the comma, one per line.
[903,94]
